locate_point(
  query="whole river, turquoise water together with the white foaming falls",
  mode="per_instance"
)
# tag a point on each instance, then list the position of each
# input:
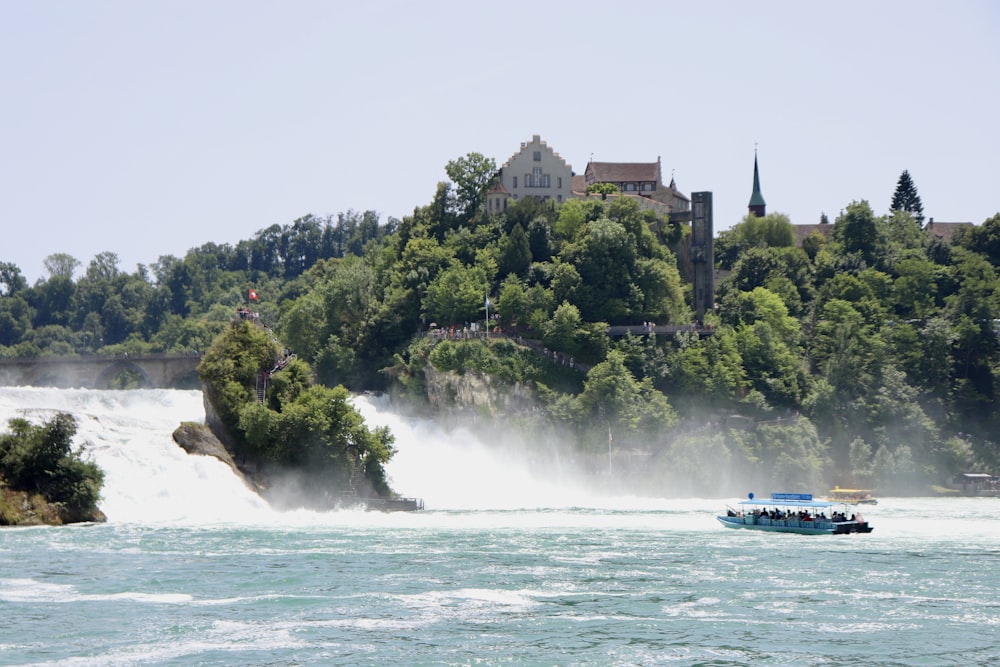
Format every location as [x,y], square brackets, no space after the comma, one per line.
[502,568]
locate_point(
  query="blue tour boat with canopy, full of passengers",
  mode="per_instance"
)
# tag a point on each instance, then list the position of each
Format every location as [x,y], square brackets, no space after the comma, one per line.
[795,513]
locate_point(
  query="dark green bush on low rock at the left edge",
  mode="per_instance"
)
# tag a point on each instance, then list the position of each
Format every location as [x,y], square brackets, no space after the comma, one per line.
[42,479]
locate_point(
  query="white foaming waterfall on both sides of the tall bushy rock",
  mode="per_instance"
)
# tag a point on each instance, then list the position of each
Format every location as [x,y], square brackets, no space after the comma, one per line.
[149,479]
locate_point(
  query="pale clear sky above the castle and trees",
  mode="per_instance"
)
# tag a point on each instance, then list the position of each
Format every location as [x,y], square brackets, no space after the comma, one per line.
[150,128]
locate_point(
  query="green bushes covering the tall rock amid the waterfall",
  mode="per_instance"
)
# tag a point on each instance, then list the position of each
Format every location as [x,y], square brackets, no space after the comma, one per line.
[278,419]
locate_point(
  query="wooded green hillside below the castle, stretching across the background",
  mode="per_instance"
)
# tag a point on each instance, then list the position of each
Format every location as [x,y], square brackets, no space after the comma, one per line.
[865,357]
